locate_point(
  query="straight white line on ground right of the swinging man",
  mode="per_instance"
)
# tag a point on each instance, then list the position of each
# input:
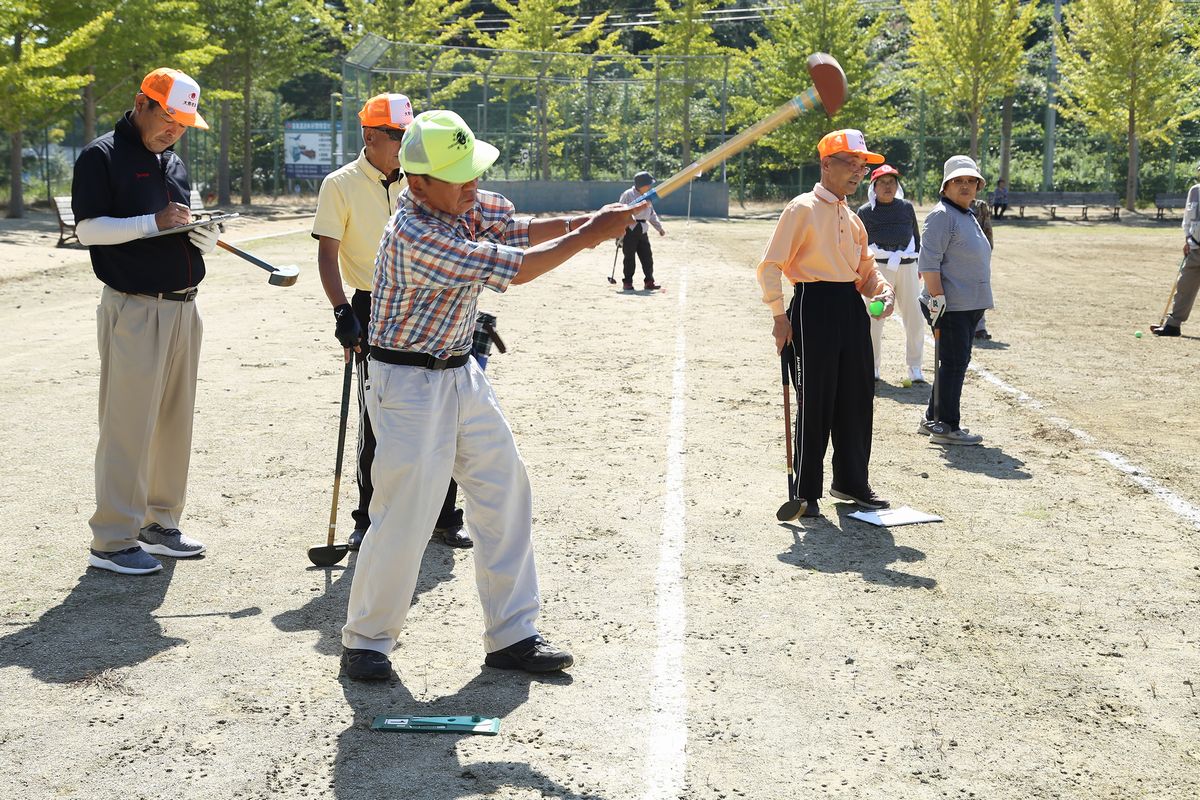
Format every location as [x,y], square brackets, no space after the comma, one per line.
[667,750]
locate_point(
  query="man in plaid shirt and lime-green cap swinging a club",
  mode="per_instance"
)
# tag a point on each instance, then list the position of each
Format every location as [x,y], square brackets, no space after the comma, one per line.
[434,411]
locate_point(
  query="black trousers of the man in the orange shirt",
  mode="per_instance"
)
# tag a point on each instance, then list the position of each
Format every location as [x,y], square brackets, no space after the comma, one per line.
[832,336]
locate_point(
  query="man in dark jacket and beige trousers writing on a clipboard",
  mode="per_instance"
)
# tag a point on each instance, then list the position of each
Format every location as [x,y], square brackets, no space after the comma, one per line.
[129,184]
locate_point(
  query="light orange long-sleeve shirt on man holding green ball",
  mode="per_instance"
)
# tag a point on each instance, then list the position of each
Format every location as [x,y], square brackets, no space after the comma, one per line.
[819,238]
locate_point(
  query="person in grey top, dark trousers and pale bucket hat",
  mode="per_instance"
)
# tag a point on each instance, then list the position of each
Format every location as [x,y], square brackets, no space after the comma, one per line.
[956,266]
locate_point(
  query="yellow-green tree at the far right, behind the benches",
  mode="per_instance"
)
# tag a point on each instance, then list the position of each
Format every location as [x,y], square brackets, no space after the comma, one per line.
[1127,73]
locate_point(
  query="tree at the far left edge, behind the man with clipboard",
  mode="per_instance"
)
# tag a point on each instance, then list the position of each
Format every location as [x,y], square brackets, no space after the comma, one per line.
[34,80]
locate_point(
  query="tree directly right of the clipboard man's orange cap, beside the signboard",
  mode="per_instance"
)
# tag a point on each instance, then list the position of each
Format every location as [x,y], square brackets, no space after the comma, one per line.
[265,43]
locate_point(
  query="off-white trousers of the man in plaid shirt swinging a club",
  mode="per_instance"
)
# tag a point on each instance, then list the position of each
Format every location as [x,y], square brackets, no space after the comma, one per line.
[430,426]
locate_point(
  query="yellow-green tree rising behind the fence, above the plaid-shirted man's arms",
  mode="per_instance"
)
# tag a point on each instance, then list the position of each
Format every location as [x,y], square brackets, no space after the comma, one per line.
[538,27]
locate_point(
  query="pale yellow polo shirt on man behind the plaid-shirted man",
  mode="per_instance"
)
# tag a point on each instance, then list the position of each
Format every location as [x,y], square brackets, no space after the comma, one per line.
[353,208]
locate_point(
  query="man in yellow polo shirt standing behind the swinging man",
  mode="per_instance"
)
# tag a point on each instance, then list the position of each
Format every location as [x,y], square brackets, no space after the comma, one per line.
[355,204]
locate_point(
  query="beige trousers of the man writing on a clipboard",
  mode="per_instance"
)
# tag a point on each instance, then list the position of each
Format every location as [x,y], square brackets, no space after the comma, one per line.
[149,351]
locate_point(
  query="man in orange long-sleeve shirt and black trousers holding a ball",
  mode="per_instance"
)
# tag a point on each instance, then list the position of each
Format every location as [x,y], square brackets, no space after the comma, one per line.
[821,248]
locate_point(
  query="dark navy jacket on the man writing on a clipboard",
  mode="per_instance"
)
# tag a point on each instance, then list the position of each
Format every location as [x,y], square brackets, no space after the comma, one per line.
[117,177]
